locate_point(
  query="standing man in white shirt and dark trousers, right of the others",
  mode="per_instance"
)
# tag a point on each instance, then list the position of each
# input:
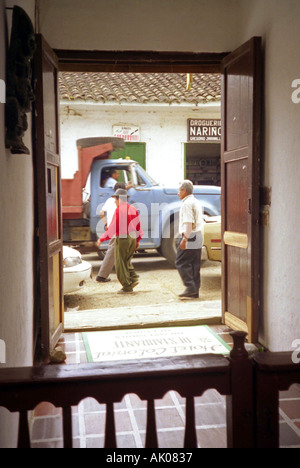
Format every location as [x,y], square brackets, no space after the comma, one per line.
[191,224]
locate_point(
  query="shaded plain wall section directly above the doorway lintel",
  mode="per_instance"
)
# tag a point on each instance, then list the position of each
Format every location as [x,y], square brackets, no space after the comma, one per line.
[170,25]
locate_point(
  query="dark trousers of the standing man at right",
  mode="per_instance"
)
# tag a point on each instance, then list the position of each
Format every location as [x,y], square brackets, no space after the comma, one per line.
[188,263]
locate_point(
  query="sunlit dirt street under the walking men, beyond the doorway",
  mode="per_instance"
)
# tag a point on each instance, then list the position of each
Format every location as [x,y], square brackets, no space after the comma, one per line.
[159,283]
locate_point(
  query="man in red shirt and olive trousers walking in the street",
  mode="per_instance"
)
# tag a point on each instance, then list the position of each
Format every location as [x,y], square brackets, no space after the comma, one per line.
[126,227]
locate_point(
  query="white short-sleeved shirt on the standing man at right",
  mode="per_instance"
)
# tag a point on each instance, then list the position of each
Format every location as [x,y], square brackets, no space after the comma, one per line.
[191,211]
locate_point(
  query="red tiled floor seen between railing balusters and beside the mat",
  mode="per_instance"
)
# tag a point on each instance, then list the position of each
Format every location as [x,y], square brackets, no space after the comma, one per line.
[130,415]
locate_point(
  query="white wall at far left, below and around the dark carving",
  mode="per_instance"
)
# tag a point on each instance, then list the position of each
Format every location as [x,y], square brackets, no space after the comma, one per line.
[16,251]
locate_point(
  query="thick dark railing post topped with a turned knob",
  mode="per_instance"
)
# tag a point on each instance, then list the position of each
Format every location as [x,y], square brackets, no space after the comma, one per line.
[240,405]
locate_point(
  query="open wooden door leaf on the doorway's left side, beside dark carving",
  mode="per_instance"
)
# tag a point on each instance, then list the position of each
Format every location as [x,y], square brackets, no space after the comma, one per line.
[47,198]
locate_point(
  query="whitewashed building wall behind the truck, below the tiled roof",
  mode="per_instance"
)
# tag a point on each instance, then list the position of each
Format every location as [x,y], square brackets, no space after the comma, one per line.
[164,130]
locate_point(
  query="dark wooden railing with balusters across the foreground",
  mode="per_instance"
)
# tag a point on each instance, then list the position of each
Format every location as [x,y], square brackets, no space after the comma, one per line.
[251,413]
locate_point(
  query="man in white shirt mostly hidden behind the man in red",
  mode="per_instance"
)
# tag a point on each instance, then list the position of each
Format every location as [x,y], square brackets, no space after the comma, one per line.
[106,214]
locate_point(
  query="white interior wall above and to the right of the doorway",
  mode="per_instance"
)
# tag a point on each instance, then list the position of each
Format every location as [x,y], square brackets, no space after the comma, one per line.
[219,25]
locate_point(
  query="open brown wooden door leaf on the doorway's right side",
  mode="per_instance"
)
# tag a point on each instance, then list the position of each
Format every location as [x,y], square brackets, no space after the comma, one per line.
[240,168]
